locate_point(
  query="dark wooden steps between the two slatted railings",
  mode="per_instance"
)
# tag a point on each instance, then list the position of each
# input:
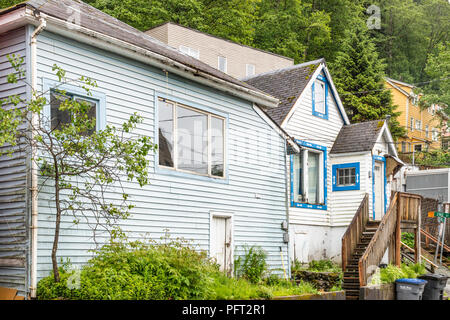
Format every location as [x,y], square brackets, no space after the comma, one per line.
[351,283]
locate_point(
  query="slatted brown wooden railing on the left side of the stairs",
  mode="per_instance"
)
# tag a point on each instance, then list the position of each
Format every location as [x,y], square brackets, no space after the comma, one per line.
[354,231]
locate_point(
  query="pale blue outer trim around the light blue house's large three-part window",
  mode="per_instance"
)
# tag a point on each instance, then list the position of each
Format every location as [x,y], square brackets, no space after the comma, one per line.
[173,172]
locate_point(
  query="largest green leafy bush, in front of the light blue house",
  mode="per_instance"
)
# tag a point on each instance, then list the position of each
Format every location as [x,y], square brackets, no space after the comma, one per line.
[137,271]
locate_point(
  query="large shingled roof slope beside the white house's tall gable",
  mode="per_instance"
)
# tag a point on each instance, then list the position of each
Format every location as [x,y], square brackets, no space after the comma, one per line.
[286,85]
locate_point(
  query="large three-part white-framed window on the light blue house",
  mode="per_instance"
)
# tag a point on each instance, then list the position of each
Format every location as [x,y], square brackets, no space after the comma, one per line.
[191,140]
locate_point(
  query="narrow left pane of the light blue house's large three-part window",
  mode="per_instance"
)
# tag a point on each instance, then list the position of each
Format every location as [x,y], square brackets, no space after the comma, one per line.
[165,129]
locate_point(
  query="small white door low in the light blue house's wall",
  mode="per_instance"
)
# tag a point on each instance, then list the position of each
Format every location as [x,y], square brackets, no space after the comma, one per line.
[221,242]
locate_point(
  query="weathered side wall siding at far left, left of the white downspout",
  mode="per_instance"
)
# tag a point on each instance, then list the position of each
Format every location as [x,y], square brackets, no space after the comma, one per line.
[13,179]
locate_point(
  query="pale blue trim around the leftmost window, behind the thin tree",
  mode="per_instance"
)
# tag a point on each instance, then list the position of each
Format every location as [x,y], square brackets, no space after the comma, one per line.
[98,97]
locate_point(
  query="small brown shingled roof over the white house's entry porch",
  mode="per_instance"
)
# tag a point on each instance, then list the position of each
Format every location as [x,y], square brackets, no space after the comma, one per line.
[358,137]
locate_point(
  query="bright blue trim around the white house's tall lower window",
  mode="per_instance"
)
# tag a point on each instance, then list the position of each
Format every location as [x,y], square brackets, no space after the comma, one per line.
[325,162]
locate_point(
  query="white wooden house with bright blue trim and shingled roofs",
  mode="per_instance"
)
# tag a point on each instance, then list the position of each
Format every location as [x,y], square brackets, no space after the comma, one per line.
[338,161]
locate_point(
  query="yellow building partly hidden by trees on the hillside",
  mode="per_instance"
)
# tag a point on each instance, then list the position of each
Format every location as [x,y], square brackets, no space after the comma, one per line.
[423,126]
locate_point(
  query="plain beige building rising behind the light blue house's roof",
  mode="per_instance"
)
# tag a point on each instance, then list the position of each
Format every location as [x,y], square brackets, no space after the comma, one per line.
[237,60]
